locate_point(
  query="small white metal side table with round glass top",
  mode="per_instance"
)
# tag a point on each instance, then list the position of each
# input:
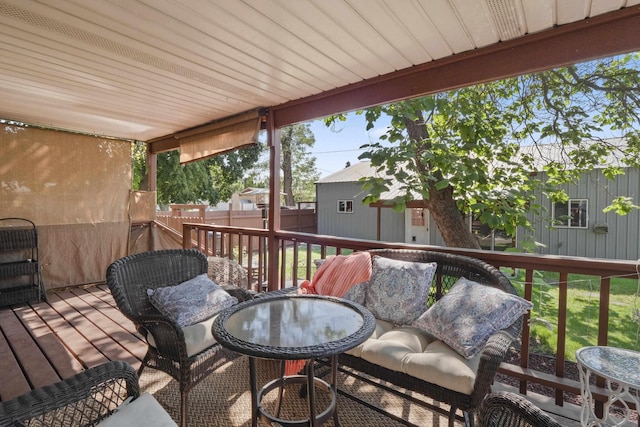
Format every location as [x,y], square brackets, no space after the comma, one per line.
[621,370]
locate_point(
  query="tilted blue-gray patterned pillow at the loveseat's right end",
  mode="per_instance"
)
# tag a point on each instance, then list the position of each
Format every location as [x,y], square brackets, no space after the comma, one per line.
[469,314]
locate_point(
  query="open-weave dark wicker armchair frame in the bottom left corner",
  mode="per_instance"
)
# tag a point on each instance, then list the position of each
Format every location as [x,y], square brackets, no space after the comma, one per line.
[81,400]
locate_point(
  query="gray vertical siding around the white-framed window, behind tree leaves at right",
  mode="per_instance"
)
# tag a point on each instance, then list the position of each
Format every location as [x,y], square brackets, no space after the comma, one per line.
[622,241]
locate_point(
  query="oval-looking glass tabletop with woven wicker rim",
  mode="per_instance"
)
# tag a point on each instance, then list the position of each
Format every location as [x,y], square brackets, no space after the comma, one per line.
[293,327]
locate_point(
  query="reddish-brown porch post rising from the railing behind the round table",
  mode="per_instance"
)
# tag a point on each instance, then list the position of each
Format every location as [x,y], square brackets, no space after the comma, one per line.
[273,141]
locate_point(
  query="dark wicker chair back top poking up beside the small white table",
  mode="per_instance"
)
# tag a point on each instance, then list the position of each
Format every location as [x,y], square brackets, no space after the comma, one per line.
[505,409]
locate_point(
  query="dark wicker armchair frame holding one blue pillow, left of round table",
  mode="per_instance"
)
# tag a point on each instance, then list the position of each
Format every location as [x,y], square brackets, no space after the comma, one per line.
[129,278]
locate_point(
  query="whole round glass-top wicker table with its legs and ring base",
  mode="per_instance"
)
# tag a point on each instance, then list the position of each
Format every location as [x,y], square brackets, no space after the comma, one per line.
[294,327]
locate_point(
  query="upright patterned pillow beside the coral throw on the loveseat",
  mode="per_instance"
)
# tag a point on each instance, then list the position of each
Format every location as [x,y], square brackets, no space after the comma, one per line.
[398,290]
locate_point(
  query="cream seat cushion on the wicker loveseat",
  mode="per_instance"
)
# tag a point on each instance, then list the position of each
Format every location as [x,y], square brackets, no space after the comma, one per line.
[409,350]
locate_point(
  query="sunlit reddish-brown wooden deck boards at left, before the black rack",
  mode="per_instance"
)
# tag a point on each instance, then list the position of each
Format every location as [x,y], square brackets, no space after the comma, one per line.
[76,329]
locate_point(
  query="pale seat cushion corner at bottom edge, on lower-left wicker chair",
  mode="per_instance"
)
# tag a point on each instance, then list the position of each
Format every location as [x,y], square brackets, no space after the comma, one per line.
[145,411]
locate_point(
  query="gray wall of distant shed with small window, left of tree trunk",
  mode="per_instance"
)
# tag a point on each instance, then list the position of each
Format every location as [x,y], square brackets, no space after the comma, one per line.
[361,224]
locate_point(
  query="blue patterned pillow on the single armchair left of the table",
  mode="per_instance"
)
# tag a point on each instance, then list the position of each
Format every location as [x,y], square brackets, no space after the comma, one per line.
[192,301]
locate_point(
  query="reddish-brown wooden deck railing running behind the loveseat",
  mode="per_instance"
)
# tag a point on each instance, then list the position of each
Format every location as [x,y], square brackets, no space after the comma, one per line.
[298,250]
